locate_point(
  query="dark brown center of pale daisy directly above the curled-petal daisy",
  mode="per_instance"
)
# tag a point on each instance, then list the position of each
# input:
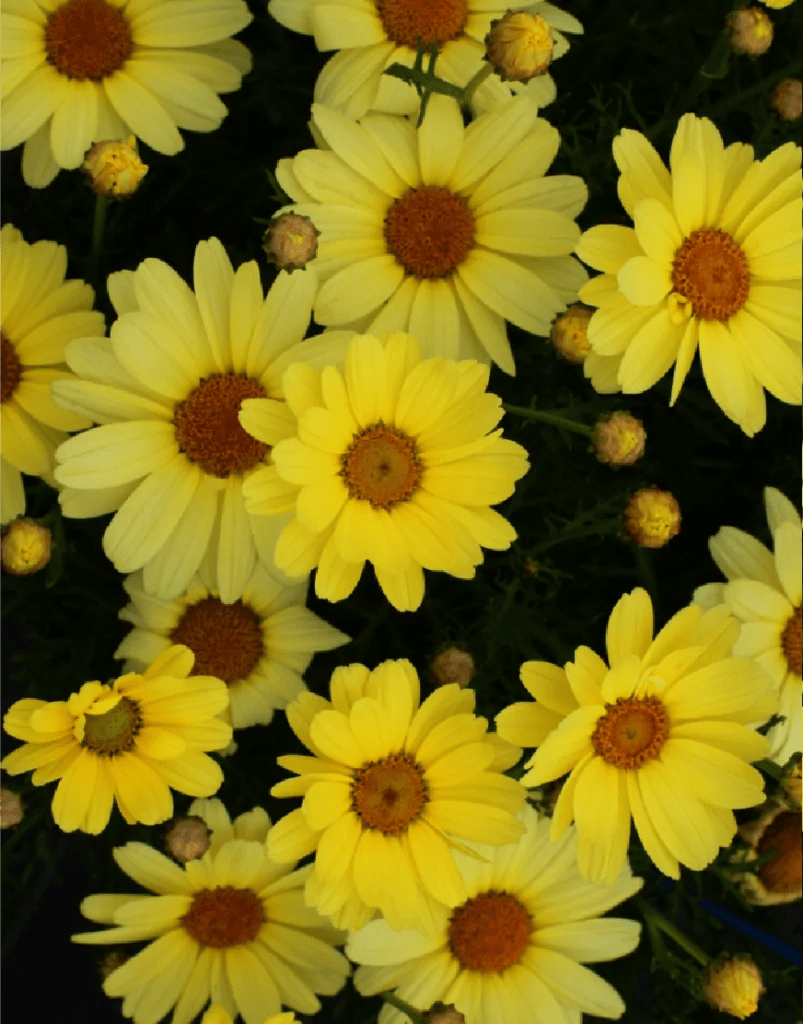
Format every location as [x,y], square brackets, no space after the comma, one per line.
[227,639]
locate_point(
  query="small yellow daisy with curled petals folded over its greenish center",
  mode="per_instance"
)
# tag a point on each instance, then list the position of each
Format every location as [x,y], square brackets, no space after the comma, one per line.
[130,743]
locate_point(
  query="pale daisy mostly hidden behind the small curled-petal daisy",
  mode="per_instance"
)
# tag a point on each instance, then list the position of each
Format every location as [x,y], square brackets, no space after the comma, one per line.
[259,647]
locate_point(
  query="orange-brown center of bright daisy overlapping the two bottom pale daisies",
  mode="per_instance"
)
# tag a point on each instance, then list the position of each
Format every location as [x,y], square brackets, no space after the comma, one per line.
[390,794]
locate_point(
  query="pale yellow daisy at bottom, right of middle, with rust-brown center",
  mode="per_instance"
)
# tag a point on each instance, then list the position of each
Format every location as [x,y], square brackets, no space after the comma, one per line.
[518,943]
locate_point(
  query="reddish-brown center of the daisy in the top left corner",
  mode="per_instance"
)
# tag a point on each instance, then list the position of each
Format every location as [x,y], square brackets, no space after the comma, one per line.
[88,39]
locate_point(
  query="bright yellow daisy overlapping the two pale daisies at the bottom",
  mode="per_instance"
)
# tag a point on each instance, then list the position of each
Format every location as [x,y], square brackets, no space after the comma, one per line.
[389,788]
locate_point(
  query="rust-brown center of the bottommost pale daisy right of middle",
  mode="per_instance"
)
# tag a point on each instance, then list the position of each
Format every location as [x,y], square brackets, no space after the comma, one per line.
[490,932]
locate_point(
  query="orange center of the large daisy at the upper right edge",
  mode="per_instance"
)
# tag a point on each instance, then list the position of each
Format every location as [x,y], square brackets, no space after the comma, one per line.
[711,272]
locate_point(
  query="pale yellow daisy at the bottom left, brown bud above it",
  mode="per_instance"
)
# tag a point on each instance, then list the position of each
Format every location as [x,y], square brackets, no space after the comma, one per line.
[231,926]
